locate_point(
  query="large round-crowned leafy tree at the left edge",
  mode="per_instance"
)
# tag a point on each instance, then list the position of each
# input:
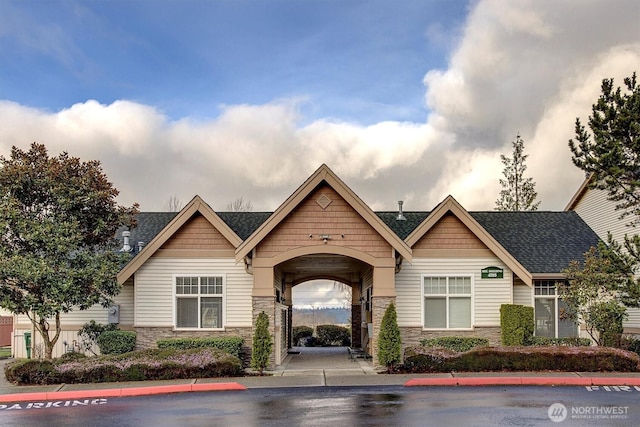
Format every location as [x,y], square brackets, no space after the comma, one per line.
[58,218]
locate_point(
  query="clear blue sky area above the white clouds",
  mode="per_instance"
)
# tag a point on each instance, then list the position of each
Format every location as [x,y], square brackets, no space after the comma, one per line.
[341,59]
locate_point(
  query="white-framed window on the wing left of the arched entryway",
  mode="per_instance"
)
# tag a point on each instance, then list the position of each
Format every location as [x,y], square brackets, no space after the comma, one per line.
[199,302]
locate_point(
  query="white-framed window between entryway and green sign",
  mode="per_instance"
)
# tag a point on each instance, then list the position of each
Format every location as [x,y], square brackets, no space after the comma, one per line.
[447,302]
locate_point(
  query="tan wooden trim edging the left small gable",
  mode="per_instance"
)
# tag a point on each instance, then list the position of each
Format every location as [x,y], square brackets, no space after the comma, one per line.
[195,205]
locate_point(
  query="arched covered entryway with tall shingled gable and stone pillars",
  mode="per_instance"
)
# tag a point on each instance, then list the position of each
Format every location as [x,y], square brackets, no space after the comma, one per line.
[323,231]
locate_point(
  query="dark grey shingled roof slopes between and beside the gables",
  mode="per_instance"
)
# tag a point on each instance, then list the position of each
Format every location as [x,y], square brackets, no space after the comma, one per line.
[542,241]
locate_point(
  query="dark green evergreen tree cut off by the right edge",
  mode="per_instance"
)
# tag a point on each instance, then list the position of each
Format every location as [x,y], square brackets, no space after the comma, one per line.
[610,153]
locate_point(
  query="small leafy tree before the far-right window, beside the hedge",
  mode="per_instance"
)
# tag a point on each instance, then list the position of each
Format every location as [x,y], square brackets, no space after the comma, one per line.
[592,294]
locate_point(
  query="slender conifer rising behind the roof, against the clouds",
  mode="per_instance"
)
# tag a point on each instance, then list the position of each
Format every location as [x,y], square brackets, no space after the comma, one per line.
[518,193]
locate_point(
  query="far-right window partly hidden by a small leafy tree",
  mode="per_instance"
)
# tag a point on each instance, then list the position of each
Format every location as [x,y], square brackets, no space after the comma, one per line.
[551,312]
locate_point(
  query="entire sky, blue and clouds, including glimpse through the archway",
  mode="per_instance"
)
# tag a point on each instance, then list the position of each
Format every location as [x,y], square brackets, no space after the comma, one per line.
[404,100]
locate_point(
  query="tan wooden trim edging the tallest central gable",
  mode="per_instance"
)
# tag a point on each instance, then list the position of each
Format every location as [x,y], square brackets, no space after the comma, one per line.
[323,173]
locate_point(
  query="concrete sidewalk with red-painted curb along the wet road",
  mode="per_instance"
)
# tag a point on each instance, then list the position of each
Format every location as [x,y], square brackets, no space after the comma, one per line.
[317,367]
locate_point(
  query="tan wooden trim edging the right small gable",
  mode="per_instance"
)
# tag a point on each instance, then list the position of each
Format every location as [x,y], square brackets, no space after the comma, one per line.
[449,204]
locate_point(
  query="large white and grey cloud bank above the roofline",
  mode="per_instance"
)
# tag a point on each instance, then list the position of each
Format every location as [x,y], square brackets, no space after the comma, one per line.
[519,66]
